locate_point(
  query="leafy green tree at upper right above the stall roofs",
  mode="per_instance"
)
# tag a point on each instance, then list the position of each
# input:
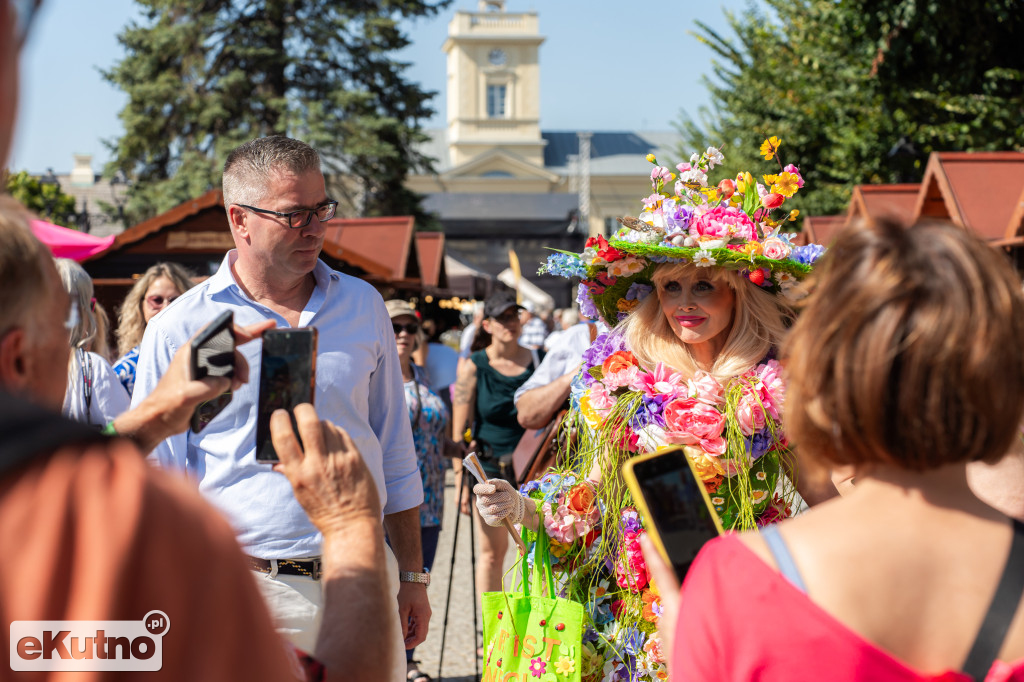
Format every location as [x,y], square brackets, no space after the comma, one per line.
[862,92]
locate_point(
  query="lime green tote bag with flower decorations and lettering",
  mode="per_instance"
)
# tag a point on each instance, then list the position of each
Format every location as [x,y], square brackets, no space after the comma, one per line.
[529,636]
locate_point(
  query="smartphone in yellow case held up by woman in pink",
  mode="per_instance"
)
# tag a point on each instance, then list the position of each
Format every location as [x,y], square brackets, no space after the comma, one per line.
[675,505]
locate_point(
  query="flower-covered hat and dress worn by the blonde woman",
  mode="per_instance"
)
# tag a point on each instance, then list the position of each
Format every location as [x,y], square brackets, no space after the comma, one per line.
[731,430]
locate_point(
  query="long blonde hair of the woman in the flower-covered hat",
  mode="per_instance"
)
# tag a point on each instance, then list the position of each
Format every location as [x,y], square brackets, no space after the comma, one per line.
[760,321]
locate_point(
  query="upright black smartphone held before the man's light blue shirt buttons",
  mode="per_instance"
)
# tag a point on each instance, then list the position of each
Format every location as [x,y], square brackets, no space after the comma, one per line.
[287,378]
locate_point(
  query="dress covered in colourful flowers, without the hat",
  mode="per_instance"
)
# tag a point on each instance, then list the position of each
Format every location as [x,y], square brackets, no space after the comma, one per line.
[732,433]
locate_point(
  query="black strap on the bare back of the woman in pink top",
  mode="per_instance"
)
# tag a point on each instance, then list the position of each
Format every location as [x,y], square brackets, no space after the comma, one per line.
[1001,612]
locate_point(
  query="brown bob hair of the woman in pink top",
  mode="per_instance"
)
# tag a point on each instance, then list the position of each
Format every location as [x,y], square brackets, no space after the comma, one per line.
[909,352]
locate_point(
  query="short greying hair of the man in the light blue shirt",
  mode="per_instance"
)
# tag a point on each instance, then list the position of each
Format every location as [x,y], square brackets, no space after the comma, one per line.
[250,166]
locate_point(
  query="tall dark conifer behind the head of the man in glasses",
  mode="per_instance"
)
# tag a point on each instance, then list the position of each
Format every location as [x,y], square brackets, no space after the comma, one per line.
[204,76]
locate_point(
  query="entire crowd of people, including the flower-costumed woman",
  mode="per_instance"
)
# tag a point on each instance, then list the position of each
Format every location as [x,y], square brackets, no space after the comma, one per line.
[856,416]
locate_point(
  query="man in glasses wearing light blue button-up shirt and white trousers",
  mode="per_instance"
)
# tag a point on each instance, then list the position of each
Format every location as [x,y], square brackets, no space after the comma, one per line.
[277,205]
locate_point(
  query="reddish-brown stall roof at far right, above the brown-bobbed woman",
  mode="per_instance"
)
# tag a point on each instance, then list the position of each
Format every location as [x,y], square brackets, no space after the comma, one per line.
[979,191]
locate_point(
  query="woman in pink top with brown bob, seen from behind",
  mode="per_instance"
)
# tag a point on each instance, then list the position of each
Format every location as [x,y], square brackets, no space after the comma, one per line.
[906,365]
